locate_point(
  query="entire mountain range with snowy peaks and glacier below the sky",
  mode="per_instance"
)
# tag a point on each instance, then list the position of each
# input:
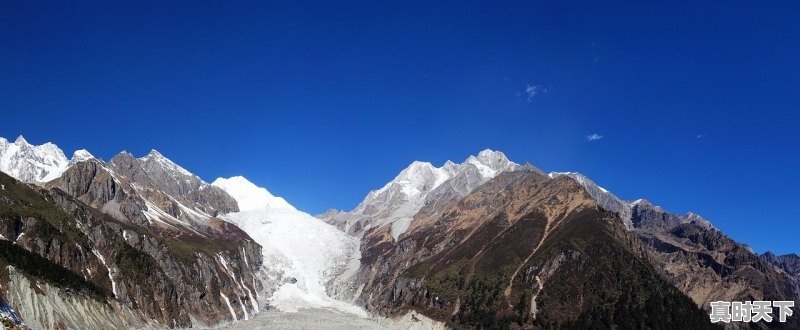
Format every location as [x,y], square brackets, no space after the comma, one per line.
[486,243]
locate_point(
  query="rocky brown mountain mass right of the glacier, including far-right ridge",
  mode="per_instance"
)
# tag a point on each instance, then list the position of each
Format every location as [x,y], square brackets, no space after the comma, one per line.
[458,243]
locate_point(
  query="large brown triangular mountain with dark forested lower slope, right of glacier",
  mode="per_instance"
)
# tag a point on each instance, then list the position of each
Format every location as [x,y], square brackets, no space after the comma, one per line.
[522,249]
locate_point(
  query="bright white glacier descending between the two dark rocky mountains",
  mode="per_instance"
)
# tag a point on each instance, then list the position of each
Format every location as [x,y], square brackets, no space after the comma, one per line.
[302,254]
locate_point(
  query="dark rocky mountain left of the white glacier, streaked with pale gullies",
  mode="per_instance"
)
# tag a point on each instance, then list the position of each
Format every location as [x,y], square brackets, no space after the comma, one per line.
[134,245]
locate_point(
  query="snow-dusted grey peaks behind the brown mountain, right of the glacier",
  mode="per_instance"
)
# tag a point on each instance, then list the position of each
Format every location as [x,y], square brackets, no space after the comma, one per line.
[398,201]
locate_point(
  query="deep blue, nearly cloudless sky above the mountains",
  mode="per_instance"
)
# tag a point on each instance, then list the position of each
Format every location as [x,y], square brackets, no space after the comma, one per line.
[697,104]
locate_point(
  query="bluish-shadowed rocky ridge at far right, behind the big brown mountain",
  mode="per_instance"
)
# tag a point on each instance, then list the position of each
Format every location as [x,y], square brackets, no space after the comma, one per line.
[705,263]
